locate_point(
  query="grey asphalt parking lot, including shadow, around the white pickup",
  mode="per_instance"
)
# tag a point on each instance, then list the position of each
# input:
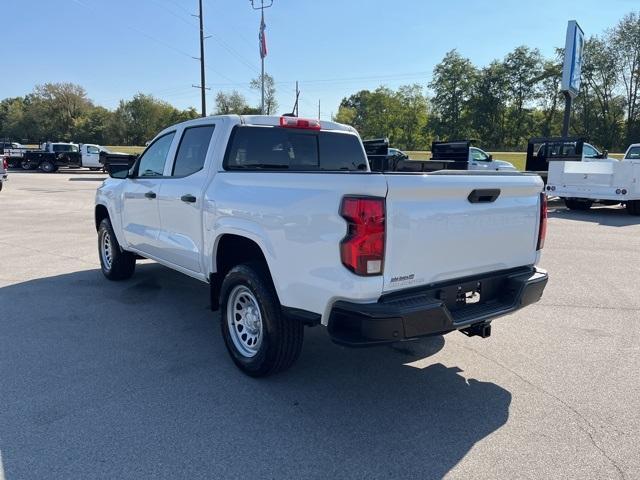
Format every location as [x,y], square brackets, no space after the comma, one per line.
[132,380]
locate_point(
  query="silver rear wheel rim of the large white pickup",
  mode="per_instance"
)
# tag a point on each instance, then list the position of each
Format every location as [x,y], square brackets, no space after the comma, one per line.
[244,321]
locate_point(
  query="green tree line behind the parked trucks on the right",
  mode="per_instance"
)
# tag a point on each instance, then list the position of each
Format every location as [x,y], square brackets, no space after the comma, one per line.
[512,99]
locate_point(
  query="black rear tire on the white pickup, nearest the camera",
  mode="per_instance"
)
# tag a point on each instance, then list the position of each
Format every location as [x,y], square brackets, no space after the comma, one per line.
[280,338]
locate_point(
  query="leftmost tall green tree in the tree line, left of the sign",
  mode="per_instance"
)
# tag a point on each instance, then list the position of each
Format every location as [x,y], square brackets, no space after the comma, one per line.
[452,84]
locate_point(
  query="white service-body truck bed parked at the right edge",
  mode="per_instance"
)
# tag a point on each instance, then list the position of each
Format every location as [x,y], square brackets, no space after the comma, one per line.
[581,184]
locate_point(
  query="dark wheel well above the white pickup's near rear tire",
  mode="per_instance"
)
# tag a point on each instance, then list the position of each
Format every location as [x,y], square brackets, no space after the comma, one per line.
[233,250]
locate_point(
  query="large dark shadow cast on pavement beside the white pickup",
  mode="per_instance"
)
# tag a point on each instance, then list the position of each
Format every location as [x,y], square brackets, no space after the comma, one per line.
[132,380]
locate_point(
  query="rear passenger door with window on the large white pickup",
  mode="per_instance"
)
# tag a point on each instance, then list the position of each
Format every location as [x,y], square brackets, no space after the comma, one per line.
[181,196]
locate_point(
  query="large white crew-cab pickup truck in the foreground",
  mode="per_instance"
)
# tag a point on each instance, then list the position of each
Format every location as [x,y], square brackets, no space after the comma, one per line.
[285,220]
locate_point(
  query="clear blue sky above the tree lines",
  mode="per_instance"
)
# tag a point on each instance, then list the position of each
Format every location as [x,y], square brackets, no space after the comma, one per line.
[115,48]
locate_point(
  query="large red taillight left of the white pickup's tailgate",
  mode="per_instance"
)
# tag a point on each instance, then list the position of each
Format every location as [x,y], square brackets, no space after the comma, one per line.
[362,250]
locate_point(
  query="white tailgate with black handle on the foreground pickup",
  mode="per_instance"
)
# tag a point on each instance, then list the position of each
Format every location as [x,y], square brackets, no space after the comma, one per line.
[435,233]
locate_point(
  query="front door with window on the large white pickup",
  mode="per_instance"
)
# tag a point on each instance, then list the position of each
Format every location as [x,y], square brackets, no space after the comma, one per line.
[140,215]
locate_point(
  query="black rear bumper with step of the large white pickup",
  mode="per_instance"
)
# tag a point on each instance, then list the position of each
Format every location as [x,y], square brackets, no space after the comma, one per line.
[435,309]
